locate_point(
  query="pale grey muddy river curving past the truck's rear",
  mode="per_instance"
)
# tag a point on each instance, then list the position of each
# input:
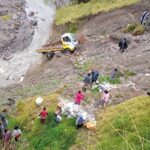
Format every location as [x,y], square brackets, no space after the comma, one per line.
[14,70]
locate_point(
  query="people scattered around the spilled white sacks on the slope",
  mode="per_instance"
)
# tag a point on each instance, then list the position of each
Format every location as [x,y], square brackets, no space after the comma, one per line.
[89,79]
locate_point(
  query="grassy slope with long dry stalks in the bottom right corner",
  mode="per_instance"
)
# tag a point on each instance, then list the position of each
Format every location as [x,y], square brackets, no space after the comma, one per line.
[125,126]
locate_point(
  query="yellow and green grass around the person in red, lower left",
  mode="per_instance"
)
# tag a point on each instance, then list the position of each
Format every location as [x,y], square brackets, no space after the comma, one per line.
[41,137]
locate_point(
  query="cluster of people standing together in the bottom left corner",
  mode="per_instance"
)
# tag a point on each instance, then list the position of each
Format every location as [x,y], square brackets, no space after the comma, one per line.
[6,135]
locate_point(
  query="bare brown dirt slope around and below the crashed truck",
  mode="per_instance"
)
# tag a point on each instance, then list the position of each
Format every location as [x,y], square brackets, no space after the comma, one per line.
[101,52]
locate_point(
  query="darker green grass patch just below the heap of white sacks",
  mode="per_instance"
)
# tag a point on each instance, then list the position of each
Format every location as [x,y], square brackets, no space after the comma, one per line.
[53,136]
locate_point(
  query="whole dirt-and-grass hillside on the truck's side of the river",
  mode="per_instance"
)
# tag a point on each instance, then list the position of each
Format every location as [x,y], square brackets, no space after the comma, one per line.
[124,123]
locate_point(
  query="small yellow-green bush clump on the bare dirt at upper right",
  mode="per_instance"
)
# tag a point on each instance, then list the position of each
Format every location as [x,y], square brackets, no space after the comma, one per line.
[134,29]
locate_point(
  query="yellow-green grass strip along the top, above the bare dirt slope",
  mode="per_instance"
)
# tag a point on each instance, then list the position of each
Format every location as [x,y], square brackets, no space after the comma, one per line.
[73,13]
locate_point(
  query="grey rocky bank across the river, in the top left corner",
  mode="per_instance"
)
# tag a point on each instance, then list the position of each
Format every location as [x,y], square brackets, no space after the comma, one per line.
[16,30]
